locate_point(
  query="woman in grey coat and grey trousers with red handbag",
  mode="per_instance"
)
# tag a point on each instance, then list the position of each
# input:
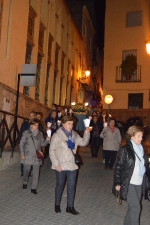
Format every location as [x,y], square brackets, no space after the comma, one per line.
[32,140]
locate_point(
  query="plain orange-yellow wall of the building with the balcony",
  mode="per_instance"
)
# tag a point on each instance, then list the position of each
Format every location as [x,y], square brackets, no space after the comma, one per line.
[118,37]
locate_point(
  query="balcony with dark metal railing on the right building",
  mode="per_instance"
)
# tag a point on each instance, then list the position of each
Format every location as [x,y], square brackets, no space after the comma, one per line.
[127,75]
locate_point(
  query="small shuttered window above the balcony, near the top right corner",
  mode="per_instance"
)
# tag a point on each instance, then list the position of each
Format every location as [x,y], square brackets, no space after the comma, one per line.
[134,19]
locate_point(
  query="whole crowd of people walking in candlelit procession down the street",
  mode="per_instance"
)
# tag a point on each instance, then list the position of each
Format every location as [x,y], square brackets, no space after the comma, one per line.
[130,164]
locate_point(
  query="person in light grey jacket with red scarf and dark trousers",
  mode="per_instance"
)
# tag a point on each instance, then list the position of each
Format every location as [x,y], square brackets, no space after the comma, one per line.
[111,143]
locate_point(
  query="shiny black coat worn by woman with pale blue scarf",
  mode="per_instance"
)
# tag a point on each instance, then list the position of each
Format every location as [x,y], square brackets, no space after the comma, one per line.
[124,168]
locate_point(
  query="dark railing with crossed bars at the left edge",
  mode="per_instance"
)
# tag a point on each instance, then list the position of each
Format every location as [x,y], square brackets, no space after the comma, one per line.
[9,132]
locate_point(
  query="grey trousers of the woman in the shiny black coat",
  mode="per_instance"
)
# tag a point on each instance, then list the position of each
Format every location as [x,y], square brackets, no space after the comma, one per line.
[134,205]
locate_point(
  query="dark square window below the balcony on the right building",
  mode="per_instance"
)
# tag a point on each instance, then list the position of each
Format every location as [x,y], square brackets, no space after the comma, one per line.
[135,101]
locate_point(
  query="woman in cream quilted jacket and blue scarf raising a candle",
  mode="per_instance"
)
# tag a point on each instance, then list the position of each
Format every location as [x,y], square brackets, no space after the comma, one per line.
[63,144]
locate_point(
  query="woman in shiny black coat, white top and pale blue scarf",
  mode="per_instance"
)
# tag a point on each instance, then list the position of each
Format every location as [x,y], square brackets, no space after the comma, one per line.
[128,174]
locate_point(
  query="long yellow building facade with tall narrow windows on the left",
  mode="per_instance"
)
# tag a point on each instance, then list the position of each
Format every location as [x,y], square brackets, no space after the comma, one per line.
[43,32]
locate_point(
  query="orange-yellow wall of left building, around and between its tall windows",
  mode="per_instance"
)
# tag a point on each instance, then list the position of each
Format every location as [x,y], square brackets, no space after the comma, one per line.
[58,21]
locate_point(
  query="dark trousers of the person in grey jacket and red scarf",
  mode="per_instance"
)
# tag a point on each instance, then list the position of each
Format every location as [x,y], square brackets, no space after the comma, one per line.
[110,157]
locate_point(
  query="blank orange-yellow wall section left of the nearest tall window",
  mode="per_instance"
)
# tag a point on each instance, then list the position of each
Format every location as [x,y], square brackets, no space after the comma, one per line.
[13,40]
